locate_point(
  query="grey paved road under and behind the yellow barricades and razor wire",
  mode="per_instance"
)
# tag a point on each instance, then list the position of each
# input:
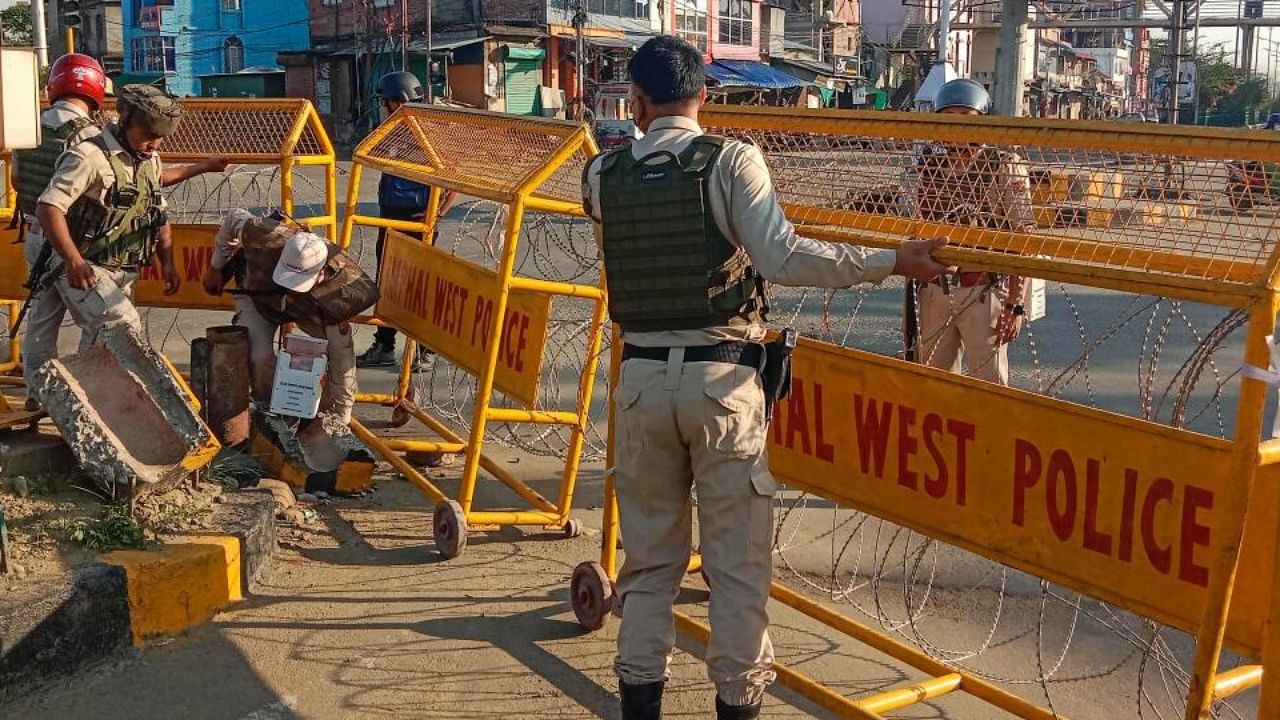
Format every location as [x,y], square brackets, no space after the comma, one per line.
[360,619]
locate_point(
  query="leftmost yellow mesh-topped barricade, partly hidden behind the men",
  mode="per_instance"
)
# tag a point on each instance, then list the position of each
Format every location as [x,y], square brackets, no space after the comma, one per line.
[285,134]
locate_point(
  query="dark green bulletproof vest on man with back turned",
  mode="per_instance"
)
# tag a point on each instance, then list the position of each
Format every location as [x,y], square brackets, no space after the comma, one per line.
[668,265]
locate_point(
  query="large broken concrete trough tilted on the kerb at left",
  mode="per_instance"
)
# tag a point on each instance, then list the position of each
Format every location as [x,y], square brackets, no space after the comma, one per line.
[125,416]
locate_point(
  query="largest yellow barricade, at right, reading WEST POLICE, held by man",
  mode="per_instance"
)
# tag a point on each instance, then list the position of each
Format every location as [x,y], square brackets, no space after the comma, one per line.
[1144,516]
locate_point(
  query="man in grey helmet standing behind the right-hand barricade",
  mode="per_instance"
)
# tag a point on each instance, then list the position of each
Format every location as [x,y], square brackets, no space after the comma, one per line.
[975,315]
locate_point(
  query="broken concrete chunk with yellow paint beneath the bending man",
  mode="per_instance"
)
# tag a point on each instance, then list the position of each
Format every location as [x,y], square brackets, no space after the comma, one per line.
[346,464]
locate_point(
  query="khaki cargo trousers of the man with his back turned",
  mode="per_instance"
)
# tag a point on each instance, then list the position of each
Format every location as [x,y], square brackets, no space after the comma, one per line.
[682,429]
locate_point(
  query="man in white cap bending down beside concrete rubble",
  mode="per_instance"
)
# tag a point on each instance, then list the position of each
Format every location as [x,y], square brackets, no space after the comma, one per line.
[286,275]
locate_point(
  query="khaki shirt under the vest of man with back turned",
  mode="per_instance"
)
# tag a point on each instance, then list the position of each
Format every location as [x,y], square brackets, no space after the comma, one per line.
[747,212]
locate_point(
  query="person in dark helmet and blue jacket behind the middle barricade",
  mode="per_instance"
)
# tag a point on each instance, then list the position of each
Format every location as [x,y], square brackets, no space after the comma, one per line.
[399,199]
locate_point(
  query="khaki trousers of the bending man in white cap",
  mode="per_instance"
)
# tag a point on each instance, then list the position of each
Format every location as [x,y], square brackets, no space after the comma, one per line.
[340,391]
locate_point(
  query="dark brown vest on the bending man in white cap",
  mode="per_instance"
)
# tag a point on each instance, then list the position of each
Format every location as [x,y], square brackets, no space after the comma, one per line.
[348,293]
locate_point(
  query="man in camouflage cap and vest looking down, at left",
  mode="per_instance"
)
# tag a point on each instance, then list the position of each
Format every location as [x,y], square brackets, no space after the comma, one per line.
[103,213]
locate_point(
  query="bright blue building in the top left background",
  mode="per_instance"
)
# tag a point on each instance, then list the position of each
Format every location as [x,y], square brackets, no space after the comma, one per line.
[176,42]
